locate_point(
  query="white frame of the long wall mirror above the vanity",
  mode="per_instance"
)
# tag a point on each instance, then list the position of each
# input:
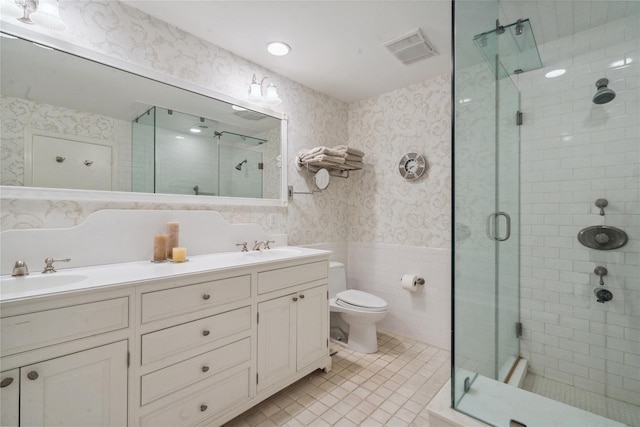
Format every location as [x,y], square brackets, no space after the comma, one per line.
[41,193]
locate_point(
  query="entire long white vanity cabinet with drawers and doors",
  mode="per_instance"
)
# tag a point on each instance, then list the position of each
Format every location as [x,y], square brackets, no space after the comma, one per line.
[196,346]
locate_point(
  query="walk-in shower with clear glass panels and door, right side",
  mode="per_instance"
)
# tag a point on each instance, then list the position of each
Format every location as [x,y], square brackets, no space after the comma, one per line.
[533,149]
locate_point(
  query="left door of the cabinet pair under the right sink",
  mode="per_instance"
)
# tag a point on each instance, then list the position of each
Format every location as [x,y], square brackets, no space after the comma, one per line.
[276,340]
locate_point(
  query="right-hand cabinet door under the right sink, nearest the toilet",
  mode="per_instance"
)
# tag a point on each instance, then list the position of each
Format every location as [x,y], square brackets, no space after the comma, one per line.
[312,328]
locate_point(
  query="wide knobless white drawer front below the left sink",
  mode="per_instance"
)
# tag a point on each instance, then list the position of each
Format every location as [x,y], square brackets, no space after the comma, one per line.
[34,330]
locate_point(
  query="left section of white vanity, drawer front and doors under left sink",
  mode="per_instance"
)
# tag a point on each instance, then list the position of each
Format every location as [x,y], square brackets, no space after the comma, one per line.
[68,360]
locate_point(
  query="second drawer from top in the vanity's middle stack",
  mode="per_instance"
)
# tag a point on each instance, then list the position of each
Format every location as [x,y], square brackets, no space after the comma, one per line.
[167,342]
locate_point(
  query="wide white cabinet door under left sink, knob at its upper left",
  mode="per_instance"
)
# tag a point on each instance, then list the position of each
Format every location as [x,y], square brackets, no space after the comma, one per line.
[81,389]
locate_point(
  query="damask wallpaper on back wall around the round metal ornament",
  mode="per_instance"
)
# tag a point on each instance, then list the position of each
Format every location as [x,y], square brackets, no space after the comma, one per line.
[383,207]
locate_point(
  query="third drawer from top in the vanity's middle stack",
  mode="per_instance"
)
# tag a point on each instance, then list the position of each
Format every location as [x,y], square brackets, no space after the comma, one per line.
[199,368]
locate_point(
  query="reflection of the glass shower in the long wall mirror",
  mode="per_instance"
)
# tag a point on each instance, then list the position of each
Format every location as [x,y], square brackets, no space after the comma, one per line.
[179,153]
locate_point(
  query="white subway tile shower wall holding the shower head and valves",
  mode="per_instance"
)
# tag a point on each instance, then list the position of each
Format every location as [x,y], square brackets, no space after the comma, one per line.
[574,152]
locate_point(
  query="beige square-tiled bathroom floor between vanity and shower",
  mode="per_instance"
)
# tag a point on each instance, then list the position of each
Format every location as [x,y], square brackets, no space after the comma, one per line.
[389,388]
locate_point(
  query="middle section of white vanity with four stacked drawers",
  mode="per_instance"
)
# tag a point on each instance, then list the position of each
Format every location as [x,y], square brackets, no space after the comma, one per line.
[195,347]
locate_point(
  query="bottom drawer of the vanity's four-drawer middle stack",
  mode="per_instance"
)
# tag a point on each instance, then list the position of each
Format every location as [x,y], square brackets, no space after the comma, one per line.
[220,395]
